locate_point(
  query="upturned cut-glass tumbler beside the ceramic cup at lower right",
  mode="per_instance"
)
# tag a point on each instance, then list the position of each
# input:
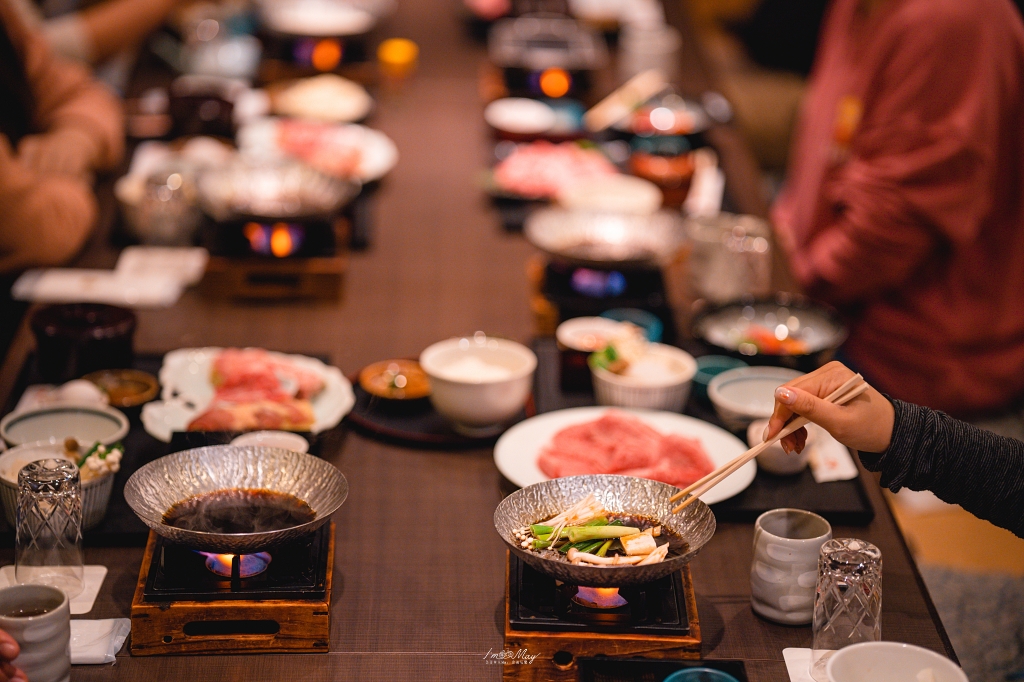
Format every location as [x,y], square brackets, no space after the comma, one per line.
[847,601]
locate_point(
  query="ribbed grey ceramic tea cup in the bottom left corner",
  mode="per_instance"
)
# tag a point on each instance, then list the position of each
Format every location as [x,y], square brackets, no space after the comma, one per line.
[45,638]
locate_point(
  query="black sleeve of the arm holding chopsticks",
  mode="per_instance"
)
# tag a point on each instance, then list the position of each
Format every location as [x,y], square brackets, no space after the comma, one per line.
[962,464]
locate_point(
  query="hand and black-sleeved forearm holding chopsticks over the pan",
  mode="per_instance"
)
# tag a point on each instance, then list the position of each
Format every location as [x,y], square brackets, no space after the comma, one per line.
[913,447]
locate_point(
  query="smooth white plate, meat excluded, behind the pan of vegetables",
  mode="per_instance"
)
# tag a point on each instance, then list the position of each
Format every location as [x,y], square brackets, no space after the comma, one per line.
[519,449]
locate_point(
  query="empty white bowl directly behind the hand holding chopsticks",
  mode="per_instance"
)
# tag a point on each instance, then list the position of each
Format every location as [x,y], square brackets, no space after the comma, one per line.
[747,394]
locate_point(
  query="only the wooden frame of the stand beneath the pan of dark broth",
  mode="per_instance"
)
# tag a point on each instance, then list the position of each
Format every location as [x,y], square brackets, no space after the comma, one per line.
[192,627]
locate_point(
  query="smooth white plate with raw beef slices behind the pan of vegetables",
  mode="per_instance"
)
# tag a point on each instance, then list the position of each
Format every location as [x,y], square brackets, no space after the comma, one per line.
[661,446]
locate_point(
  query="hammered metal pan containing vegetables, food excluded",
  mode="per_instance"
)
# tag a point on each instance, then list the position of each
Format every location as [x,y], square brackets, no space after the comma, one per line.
[627,495]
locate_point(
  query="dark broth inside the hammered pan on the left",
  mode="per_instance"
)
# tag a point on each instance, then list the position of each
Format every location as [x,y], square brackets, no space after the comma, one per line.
[239,511]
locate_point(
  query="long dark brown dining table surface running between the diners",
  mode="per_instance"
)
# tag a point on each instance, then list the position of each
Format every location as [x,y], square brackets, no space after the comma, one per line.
[419,585]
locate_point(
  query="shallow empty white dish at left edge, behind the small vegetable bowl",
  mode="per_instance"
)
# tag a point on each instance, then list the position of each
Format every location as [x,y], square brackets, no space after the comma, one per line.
[86,423]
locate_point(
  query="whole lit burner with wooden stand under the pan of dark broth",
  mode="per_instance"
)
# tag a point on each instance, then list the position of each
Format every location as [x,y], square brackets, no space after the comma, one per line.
[196,603]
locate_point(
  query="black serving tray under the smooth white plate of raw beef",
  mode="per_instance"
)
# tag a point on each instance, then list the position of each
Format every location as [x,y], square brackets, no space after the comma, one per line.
[841,503]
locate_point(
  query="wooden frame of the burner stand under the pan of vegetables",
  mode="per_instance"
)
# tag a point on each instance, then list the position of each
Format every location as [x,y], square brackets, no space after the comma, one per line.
[558,652]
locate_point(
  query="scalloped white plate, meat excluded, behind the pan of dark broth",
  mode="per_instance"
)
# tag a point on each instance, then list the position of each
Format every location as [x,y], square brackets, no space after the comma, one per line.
[187,392]
